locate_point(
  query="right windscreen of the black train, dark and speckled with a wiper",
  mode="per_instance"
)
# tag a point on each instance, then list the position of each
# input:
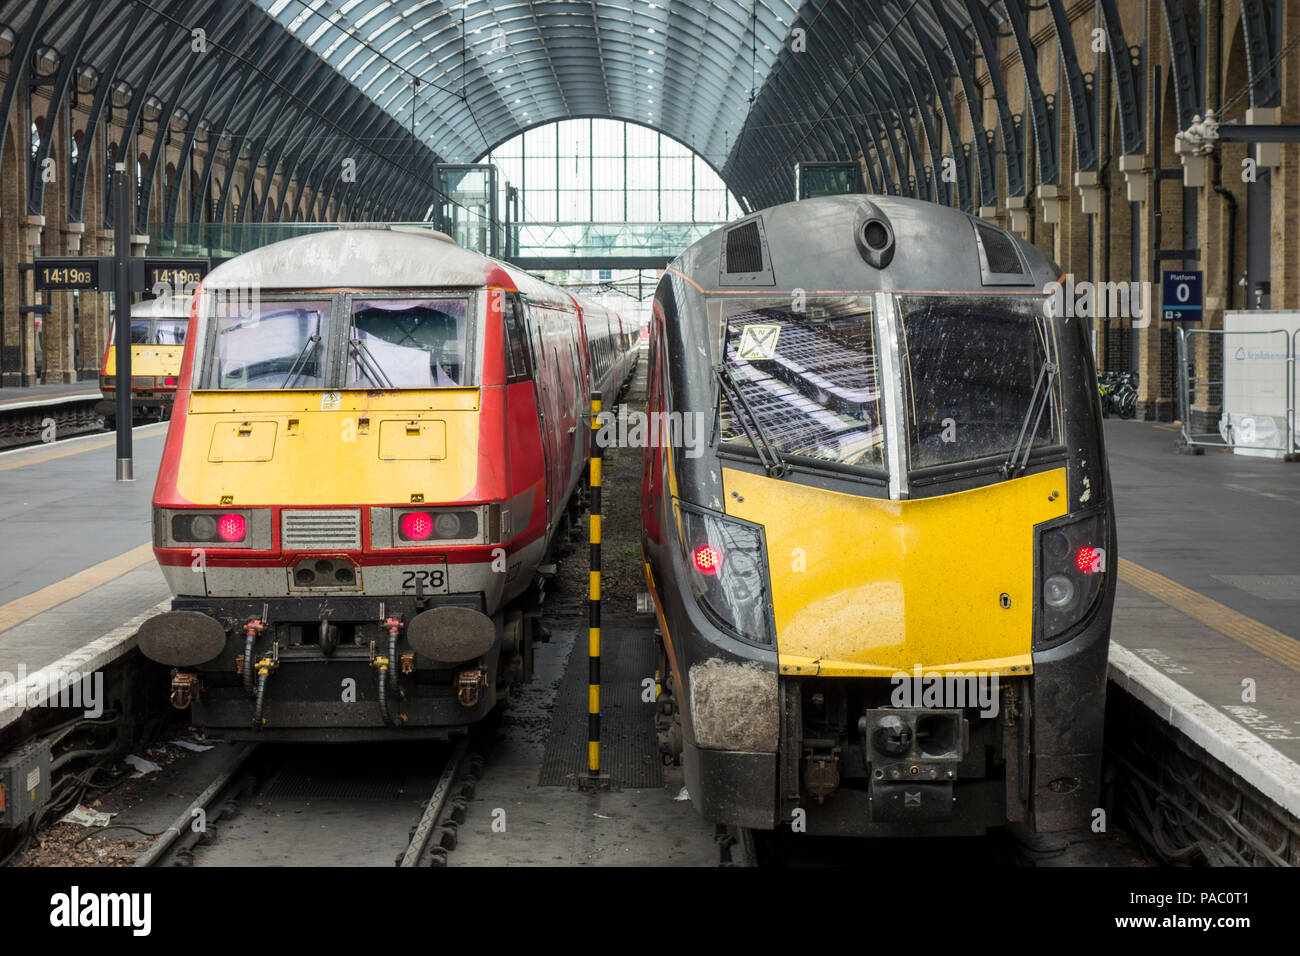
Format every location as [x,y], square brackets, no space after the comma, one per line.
[977,374]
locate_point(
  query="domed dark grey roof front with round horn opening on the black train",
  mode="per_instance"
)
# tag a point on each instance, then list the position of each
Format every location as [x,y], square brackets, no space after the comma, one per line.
[824,245]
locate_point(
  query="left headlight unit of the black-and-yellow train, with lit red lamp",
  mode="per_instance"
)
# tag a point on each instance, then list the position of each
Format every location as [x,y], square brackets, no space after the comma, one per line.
[727,565]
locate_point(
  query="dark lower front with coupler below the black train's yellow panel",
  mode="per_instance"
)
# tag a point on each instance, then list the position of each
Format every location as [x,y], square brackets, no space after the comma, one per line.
[812,751]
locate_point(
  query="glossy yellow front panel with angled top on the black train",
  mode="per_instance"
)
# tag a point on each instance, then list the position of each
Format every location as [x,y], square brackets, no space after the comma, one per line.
[873,587]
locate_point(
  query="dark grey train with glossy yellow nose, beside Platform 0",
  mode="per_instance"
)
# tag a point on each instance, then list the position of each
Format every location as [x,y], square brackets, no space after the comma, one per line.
[885,574]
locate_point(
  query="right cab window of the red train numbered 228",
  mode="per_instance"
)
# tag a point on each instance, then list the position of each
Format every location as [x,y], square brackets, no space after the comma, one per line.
[409,344]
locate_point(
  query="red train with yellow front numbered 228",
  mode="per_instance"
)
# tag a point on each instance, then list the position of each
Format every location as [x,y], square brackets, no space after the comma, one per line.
[379,438]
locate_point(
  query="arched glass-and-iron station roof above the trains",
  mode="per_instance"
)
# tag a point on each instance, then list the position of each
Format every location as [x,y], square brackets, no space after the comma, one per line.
[400,86]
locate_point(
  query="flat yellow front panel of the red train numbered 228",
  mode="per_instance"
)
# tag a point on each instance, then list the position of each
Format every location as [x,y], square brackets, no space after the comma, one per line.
[326,448]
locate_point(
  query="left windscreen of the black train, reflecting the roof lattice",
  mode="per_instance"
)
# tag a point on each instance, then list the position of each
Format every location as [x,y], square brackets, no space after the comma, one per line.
[803,382]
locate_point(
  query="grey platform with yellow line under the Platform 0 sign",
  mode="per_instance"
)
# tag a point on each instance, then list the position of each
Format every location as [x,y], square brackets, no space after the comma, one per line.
[1207,622]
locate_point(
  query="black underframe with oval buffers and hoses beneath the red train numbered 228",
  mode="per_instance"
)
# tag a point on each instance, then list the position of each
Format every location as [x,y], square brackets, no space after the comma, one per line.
[357,668]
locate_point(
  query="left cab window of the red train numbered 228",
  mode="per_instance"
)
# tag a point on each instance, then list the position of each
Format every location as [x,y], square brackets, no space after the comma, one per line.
[268,344]
